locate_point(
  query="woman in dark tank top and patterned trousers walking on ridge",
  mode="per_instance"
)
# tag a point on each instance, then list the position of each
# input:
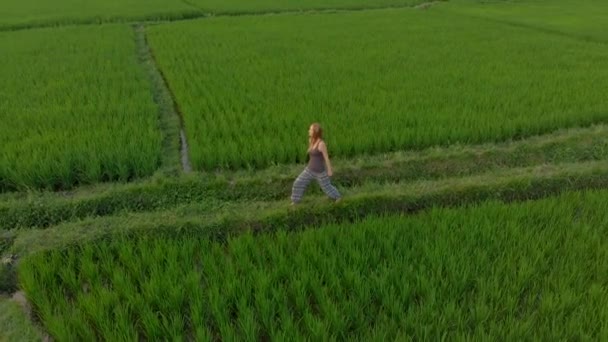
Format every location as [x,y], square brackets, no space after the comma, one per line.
[318,168]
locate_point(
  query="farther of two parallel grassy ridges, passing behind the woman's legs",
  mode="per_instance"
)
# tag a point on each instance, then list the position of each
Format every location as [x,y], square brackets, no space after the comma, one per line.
[40,210]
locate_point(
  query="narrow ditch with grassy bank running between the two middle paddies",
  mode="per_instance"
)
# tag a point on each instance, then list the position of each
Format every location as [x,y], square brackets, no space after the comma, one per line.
[170,116]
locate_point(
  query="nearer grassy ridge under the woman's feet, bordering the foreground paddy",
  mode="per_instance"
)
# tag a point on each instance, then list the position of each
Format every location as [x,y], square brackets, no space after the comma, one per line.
[516,185]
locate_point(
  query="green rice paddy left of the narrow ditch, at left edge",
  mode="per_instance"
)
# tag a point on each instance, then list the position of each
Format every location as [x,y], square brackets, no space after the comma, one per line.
[76,109]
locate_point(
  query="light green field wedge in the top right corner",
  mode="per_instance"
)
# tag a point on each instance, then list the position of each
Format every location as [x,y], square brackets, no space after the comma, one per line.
[584,19]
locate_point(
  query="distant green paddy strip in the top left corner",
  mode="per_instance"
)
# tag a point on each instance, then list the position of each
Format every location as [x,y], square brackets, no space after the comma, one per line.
[32,13]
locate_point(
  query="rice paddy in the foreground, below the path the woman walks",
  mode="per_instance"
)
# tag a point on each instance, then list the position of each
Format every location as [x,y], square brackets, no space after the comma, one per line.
[532,270]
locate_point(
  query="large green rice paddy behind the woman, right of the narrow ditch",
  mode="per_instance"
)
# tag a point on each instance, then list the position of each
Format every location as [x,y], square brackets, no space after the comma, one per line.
[378,81]
